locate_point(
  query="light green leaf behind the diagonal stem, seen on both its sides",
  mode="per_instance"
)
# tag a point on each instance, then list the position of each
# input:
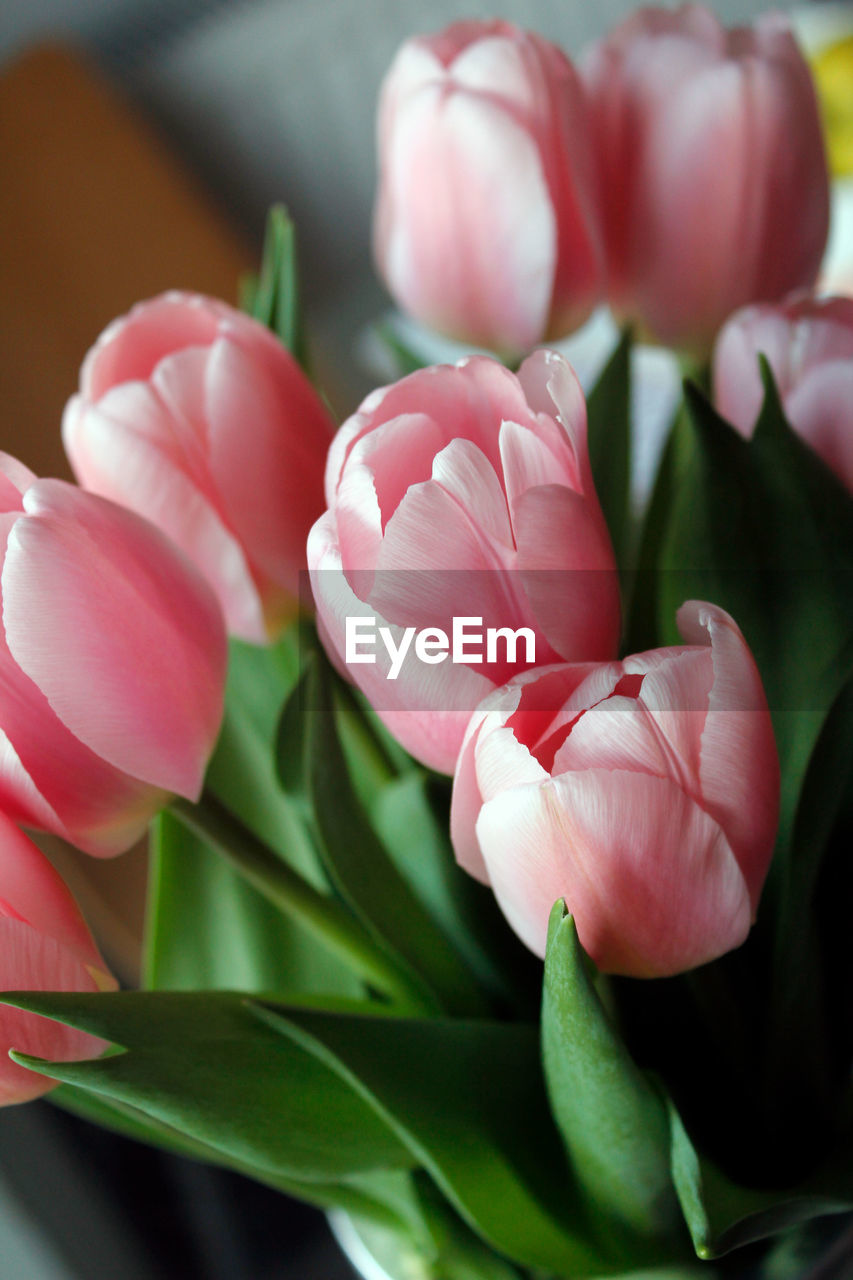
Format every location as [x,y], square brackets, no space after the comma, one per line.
[207,926]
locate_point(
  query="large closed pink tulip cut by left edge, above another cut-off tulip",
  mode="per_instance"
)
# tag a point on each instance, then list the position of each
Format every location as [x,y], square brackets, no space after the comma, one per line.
[112,665]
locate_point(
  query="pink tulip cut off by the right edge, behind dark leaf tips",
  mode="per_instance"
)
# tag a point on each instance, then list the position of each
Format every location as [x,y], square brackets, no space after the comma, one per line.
[809,344]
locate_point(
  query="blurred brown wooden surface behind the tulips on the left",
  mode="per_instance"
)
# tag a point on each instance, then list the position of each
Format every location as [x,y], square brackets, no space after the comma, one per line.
[95,214]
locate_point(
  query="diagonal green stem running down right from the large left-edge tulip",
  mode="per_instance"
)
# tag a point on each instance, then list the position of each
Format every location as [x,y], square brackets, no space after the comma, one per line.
[325,917]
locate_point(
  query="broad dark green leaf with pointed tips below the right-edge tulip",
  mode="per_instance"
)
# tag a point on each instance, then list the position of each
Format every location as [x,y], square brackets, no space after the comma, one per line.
[765,531]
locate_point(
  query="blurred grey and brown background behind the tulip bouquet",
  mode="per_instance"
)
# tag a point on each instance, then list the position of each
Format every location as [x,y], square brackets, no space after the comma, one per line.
[142,144]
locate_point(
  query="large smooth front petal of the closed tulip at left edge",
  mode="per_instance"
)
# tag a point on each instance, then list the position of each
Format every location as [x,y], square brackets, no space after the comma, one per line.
[115,600]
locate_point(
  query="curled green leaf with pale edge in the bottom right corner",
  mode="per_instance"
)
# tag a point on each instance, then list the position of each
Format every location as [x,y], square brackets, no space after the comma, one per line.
[723,1217]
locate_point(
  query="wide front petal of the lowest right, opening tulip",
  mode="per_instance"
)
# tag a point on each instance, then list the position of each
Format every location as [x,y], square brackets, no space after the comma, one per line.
[649,876]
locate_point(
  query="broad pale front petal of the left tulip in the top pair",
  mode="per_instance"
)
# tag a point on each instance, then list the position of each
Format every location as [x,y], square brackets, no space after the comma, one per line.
[485,268]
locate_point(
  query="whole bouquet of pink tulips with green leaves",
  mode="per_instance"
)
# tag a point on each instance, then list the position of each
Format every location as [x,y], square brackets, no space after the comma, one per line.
[500,820]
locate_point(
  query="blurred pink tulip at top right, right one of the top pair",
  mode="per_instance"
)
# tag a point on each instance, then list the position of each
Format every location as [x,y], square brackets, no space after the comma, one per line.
[713,168]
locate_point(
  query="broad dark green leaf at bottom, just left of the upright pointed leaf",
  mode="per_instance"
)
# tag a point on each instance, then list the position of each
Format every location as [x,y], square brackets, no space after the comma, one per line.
[467,1099]
